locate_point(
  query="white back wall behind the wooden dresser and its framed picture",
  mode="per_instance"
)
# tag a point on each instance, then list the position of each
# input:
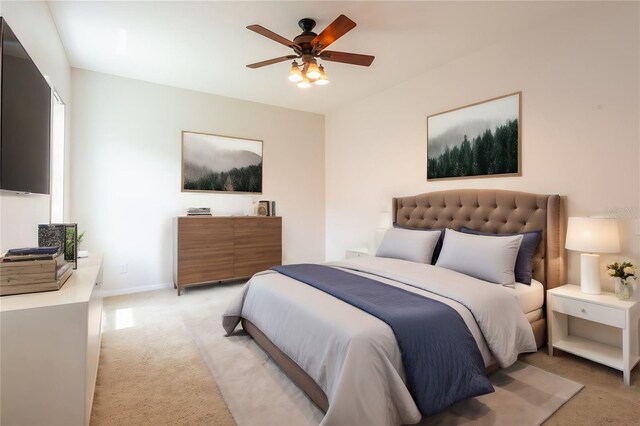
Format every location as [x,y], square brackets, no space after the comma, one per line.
[126,168]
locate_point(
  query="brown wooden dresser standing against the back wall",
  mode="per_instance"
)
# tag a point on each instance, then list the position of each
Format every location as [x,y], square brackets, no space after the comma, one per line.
[212,249]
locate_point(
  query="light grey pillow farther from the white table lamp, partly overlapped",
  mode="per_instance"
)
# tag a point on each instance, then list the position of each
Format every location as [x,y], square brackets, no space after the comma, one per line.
[415,246]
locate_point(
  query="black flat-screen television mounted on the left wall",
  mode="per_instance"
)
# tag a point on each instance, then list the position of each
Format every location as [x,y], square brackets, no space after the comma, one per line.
[25,119]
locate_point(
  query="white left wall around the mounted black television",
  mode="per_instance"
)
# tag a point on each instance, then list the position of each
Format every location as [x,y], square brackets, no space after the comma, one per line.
[34,27]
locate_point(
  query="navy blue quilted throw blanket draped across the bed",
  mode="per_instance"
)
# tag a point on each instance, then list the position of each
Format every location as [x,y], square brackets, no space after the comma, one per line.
[441,359]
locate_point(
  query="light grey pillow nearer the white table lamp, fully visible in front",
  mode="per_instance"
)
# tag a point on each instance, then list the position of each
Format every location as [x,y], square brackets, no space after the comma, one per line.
[487,258]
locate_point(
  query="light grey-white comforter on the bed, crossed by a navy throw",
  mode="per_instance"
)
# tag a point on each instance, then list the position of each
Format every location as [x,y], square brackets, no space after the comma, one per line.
[354,356]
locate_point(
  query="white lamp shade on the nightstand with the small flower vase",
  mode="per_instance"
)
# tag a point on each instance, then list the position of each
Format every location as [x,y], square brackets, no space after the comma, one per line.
[593,235]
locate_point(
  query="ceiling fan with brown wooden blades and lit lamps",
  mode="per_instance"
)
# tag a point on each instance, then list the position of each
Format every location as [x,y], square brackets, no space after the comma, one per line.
[309,47]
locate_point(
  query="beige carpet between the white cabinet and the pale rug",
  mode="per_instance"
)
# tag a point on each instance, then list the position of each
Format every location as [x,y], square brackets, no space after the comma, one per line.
[150,371]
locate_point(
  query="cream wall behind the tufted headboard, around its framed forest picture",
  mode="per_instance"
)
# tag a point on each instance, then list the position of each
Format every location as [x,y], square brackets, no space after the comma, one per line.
[579,79]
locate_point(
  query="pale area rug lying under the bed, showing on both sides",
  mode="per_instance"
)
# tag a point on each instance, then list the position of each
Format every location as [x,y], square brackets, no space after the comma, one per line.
[258,393]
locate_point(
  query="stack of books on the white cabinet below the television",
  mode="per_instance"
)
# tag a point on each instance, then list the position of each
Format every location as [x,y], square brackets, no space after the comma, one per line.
[31,270]
